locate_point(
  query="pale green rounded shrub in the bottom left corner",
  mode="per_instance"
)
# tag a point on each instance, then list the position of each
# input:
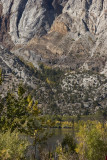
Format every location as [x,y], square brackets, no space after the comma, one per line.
[12,147]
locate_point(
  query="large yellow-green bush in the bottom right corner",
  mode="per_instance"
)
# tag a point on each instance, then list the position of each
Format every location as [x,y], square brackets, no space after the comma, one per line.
[92,141]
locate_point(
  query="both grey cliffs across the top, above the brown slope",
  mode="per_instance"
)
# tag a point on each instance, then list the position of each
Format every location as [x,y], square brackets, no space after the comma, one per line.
[29,18]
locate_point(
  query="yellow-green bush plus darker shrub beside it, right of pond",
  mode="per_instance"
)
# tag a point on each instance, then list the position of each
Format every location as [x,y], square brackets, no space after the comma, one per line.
[88,143]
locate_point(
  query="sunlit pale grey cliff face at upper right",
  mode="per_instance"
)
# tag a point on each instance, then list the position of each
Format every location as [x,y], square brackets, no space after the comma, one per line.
[88,15]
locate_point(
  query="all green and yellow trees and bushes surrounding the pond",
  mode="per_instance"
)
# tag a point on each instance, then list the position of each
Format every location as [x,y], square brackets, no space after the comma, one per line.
[20,116]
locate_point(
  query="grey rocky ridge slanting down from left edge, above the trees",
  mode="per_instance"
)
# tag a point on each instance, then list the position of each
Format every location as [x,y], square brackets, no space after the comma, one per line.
[14,71]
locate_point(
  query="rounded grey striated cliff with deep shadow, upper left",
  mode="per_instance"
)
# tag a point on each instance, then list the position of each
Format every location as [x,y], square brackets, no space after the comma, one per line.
[28,18]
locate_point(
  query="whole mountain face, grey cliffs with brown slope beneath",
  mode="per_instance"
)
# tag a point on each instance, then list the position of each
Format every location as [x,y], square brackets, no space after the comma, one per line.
[63,31]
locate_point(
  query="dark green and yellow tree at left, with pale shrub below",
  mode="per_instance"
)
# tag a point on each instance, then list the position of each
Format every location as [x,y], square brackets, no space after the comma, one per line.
[20,115]
